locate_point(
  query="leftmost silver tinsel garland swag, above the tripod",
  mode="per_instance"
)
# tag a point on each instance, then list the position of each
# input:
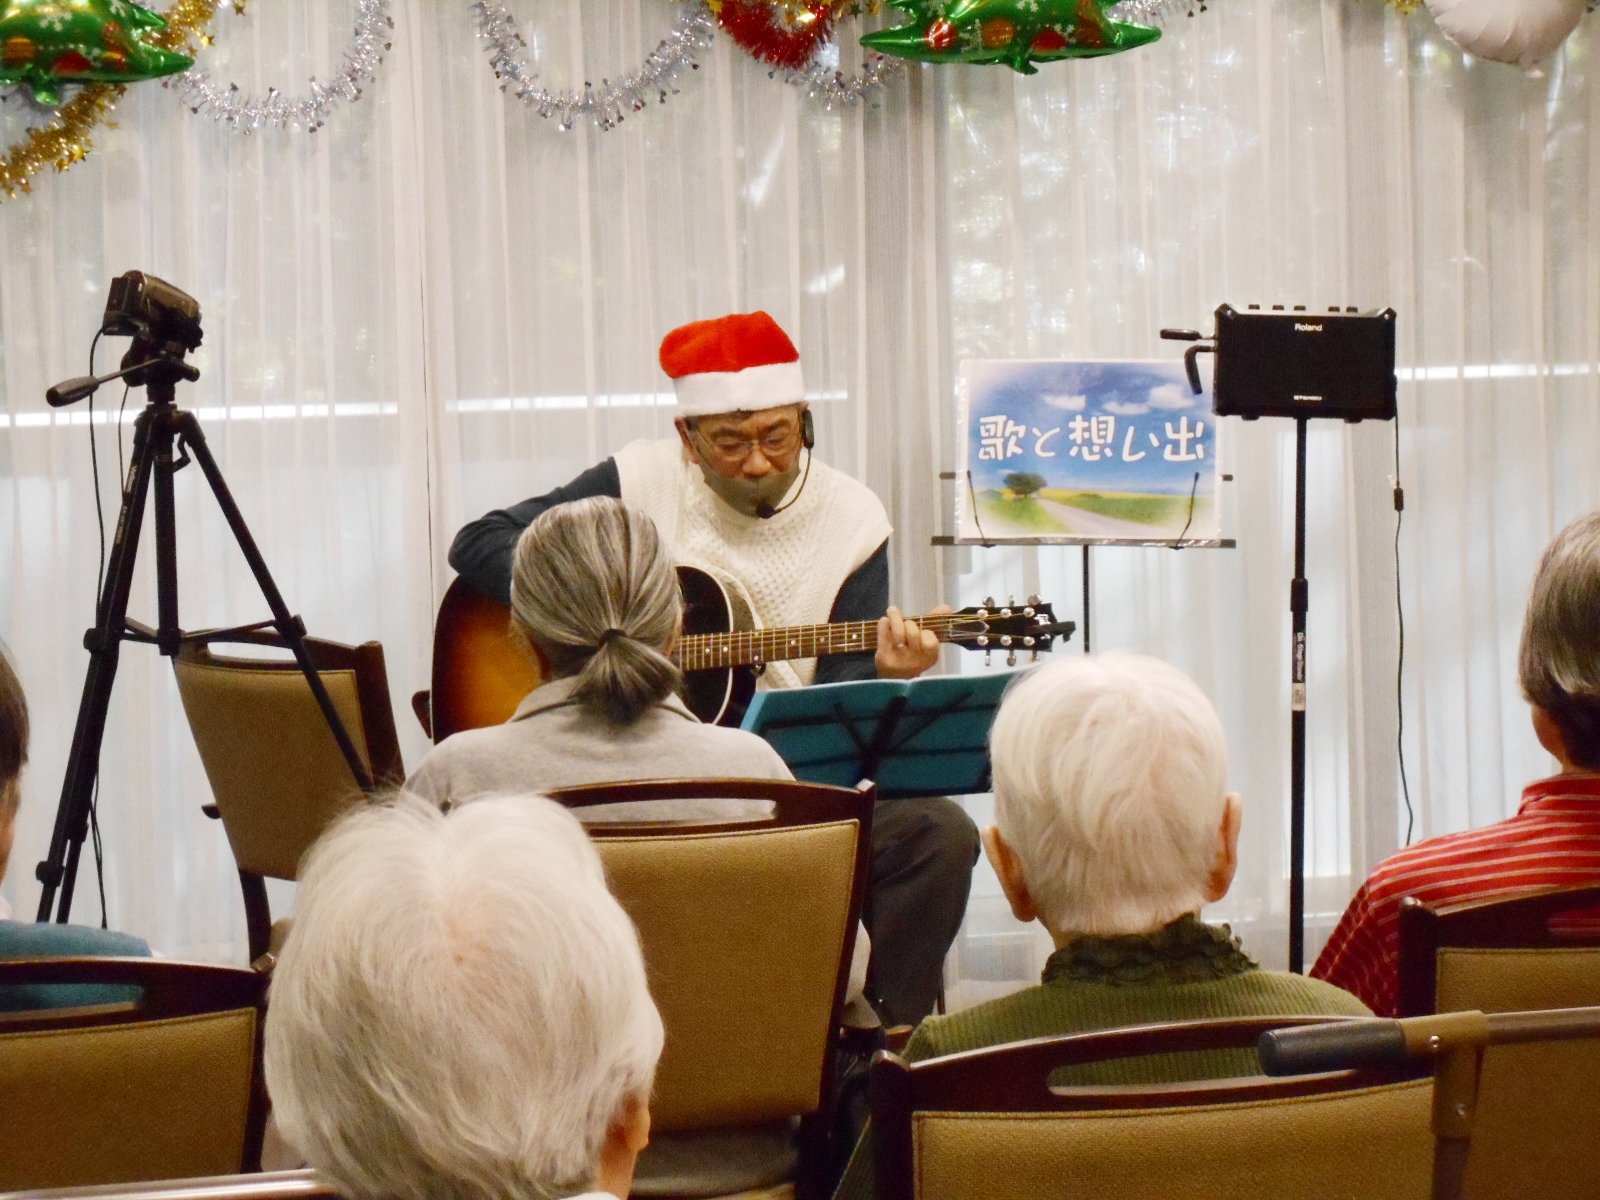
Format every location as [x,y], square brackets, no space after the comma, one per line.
[247,114]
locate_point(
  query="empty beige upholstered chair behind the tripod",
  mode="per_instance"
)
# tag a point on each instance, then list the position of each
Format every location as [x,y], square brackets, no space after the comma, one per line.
[278,775]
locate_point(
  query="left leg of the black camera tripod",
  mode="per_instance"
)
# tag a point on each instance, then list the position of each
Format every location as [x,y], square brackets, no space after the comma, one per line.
[105,646]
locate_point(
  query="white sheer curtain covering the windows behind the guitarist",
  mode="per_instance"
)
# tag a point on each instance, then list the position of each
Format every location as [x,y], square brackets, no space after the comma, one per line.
[439,305]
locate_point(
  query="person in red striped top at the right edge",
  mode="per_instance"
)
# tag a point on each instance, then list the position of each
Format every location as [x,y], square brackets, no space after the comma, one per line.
[1554,839]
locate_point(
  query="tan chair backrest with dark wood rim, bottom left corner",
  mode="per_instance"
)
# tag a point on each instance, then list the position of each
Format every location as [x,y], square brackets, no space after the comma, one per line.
[164,1087]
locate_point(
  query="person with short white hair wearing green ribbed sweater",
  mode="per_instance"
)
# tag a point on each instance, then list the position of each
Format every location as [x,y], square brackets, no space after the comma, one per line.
[1113,828]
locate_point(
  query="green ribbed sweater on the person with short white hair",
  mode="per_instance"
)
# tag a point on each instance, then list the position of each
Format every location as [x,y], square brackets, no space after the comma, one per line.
[1186,972]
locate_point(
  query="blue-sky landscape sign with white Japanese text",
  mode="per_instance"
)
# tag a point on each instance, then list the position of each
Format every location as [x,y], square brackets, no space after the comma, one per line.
[1079,450]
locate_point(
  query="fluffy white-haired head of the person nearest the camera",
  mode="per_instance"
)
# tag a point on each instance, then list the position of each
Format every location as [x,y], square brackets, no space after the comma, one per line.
[462,1010]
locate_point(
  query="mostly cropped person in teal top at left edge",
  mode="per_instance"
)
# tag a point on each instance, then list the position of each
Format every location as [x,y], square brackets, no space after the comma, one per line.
[41,940]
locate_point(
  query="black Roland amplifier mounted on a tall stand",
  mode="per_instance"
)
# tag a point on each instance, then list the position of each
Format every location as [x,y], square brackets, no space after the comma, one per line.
[1337,364]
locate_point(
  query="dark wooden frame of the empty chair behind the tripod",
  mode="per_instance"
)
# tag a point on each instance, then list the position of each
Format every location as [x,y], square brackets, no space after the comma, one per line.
[380,743]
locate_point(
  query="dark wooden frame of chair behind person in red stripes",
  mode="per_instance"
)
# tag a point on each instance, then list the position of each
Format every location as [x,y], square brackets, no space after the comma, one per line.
[1500,922]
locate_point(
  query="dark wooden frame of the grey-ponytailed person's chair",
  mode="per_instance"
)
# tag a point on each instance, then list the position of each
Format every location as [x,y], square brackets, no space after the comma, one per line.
[794,806]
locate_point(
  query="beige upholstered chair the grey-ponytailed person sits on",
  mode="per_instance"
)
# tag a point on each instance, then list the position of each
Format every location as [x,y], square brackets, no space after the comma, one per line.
[748,930]
